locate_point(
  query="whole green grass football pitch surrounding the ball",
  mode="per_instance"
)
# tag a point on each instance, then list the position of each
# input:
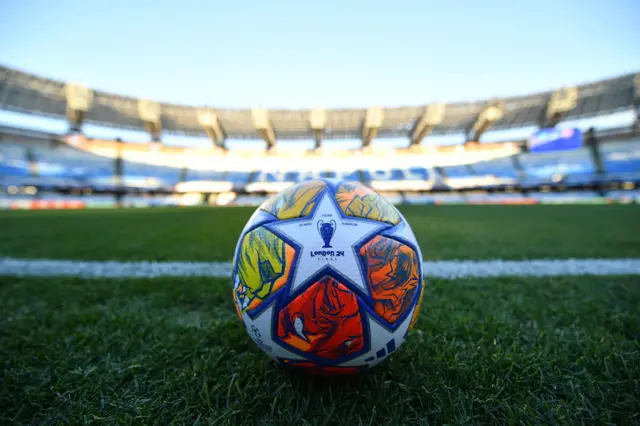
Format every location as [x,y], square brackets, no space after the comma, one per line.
[511,348]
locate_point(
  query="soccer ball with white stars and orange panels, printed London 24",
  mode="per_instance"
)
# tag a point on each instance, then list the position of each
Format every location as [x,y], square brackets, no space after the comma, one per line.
[328,277]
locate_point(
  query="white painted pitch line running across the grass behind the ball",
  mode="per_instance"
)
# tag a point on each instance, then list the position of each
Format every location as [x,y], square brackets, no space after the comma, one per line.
[448,269]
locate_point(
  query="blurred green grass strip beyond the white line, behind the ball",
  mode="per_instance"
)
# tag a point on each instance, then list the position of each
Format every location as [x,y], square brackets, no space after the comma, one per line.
[444,232]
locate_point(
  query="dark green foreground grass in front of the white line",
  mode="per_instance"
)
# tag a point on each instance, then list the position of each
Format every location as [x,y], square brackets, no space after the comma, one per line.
[518,351]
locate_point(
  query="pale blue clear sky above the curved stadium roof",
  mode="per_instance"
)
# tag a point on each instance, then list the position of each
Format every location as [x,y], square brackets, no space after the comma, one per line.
[296,54]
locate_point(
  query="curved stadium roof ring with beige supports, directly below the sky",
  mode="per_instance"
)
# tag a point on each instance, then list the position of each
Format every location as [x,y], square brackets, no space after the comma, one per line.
[28,93]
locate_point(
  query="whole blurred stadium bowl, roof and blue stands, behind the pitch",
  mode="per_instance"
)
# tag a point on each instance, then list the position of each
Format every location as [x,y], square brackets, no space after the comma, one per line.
[560,161]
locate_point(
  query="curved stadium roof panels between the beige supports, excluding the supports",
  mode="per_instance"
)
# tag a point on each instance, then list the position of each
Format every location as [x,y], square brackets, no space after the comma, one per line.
[28,93]
